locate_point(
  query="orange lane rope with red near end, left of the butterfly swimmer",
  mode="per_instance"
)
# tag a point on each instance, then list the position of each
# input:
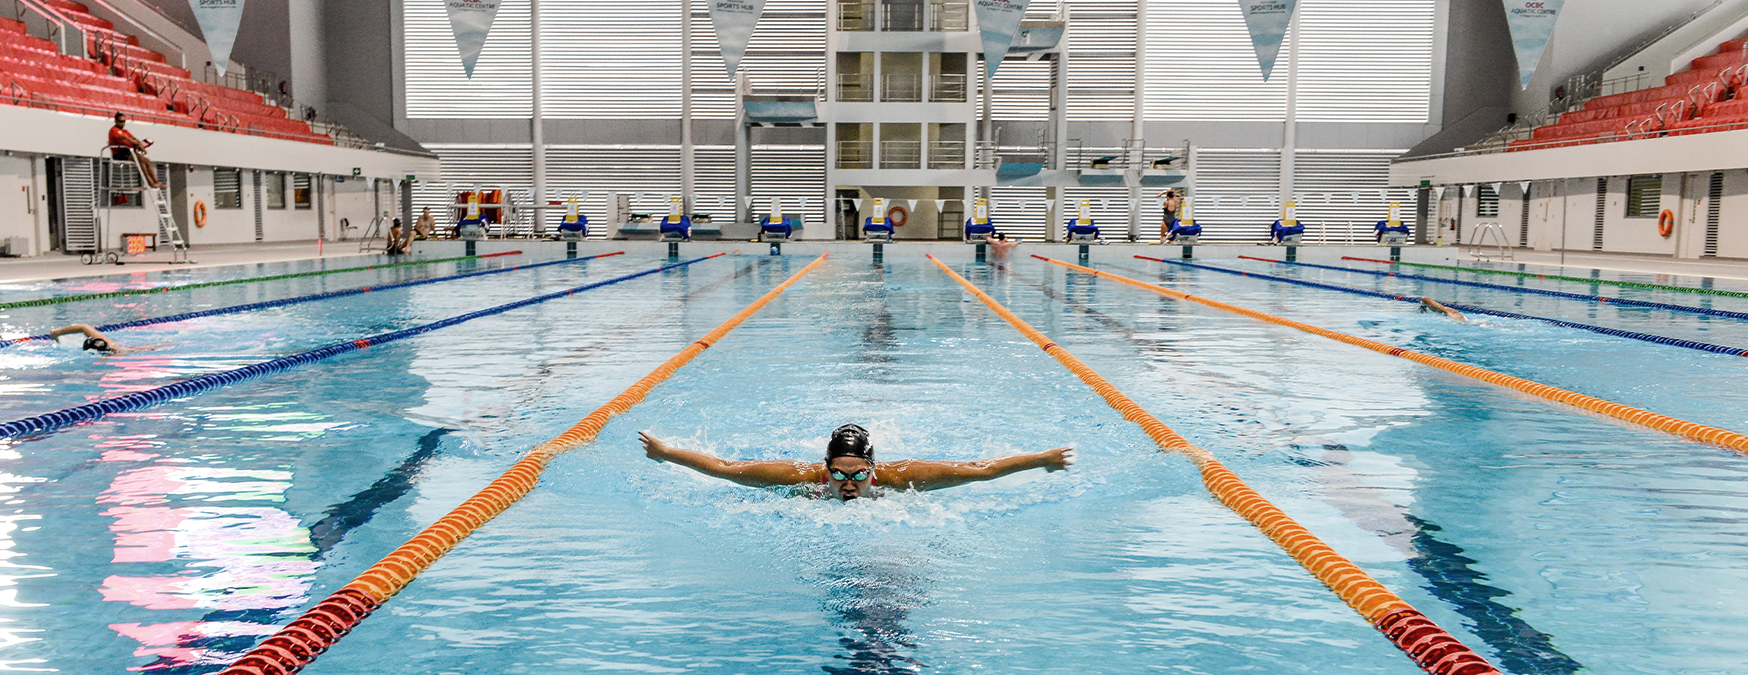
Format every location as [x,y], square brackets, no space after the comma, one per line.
[319,629]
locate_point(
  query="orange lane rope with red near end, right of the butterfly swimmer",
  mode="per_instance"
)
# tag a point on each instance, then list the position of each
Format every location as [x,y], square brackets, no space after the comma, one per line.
[1408,629]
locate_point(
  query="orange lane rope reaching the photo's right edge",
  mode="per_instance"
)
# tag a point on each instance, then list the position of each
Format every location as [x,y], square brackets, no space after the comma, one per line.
[1625,414]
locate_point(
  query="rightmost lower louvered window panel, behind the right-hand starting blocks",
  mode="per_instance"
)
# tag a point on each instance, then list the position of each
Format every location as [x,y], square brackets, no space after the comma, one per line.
[1343,195]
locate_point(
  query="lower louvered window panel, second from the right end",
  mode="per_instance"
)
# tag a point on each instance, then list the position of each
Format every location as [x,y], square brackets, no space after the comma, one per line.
[1233,193]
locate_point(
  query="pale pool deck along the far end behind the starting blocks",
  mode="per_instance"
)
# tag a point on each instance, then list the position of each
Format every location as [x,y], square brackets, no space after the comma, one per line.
[57,267]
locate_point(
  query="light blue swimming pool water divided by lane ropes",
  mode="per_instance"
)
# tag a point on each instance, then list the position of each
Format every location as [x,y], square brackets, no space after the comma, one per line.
[1548,539]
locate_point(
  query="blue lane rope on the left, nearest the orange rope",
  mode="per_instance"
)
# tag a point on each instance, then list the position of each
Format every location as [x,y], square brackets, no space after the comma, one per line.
[214,380]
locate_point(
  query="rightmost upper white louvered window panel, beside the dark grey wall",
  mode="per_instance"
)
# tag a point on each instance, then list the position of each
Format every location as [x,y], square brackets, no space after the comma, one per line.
[1366,62]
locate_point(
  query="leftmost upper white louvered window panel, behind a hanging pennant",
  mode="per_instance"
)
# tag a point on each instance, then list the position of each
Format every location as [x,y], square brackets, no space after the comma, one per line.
[436,83]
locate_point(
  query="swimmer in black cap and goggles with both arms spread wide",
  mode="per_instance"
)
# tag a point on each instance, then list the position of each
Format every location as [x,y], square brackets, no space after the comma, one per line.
[850,470]
